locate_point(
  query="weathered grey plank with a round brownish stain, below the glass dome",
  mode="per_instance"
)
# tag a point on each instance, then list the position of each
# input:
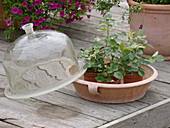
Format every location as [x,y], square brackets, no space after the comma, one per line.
[29,113]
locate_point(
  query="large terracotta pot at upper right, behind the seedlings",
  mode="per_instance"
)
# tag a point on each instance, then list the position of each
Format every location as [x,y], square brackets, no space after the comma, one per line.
[156,21]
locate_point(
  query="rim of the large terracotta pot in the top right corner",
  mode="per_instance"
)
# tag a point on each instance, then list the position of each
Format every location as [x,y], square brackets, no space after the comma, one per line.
[157,7]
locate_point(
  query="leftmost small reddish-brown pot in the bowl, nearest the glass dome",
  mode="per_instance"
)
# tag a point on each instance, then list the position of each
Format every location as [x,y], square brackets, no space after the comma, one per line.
[90,76]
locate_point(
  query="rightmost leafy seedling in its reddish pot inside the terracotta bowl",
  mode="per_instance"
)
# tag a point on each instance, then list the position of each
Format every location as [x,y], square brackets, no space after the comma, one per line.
[131,58]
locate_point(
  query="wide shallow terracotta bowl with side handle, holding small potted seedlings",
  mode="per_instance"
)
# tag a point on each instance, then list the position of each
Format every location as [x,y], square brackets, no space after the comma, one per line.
[115,93]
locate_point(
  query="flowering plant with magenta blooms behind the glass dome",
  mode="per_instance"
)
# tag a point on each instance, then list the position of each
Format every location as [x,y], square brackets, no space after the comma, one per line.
[44,14]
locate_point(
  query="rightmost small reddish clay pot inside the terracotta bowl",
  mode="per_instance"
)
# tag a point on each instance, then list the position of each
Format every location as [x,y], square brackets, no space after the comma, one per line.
[132,78]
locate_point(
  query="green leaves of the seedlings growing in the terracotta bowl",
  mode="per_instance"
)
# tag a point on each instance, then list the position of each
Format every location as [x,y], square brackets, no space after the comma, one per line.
[109,56]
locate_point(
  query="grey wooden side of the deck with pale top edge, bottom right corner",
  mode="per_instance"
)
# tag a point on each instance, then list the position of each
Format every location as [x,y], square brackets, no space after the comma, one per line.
[155,116]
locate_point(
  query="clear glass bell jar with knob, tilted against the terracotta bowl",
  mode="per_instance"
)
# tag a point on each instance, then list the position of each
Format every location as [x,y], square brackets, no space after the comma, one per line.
[40,62]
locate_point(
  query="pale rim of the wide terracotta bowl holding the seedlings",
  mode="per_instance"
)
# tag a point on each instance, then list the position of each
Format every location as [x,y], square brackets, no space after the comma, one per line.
[128,85]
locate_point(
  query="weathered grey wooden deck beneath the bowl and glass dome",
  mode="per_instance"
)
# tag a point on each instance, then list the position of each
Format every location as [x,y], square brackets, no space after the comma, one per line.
[64,109]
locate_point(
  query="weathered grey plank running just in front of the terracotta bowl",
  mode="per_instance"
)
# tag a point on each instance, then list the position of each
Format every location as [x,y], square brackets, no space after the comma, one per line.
[97,110]
